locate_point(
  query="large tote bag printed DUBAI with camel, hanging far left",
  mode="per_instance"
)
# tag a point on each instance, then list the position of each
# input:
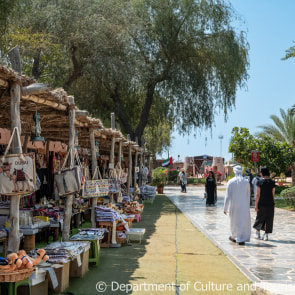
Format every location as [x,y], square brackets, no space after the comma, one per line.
[17,171]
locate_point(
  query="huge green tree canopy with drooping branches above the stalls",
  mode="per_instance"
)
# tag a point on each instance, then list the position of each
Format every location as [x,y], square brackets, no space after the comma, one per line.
[124,56]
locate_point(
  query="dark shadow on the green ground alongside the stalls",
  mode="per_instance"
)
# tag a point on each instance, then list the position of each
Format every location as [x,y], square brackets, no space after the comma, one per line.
[118,264]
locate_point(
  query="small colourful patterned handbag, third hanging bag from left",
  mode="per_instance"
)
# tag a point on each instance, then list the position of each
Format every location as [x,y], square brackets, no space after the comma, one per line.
[96,187]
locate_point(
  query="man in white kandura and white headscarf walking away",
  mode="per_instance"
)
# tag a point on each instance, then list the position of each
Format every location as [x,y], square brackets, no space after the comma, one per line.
[236,202]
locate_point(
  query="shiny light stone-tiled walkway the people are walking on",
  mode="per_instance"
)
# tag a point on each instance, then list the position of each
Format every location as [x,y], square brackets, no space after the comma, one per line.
[269,264]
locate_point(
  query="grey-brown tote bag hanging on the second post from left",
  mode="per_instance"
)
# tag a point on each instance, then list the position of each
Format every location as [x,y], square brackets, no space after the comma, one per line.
[67,181]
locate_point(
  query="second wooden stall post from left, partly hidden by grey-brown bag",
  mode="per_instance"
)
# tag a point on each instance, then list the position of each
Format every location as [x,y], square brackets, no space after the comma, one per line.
[69,199]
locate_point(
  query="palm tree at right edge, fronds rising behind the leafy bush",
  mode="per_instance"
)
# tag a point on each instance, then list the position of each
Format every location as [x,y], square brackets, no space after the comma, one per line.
[283,130]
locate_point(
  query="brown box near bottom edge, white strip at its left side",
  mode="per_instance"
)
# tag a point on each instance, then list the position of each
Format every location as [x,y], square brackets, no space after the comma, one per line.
[62,272]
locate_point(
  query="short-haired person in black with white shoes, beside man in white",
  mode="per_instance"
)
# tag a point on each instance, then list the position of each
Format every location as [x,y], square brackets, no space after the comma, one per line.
[264,204]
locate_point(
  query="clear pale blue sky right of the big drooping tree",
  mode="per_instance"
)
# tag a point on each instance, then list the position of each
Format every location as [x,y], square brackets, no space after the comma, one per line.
[270,27]
